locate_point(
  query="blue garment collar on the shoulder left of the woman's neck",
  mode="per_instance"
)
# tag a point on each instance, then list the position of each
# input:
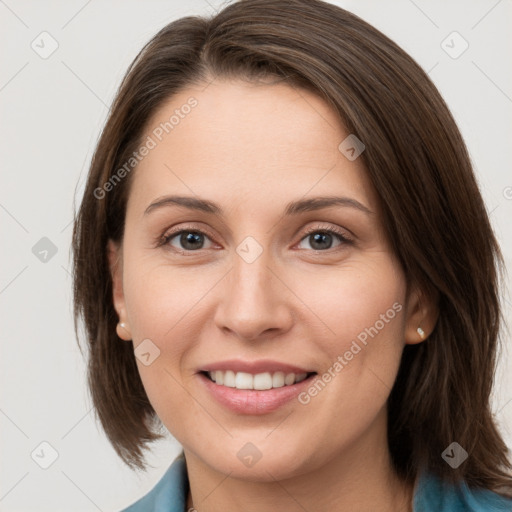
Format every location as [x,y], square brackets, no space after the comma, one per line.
[169,494]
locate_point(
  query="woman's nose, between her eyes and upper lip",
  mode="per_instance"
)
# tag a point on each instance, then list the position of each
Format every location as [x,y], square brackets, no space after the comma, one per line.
[254,300]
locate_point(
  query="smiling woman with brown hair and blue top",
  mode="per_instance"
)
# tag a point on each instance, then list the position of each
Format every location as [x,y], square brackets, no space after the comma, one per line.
[283,257]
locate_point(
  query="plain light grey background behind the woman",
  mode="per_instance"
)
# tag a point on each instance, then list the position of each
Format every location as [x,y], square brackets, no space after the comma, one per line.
[52,111]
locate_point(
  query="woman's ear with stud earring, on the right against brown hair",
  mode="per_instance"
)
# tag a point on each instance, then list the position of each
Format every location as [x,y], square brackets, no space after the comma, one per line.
[422,311]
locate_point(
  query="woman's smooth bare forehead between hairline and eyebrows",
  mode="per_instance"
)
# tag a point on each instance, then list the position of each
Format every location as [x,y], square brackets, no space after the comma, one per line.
[247,142]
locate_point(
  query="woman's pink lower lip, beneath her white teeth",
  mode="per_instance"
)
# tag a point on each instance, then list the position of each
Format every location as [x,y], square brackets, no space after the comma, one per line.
[249,401]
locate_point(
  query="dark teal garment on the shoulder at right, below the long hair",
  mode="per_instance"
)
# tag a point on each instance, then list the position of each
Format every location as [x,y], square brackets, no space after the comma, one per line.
[431,493]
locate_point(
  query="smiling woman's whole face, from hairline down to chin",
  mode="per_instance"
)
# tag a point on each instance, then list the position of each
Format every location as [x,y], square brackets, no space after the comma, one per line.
[261,280]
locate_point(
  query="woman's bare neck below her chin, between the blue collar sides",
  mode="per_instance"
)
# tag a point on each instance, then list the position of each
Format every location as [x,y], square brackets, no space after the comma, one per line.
[358,478]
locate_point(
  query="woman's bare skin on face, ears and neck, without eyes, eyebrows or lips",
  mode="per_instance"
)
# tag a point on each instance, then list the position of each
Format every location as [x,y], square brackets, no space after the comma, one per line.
[253,148]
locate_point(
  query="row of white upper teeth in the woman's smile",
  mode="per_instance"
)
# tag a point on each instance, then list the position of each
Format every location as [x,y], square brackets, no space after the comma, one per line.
[260,381]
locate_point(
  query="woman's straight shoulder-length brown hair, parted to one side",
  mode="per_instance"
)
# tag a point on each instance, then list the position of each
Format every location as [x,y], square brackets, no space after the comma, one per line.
[433,211]
